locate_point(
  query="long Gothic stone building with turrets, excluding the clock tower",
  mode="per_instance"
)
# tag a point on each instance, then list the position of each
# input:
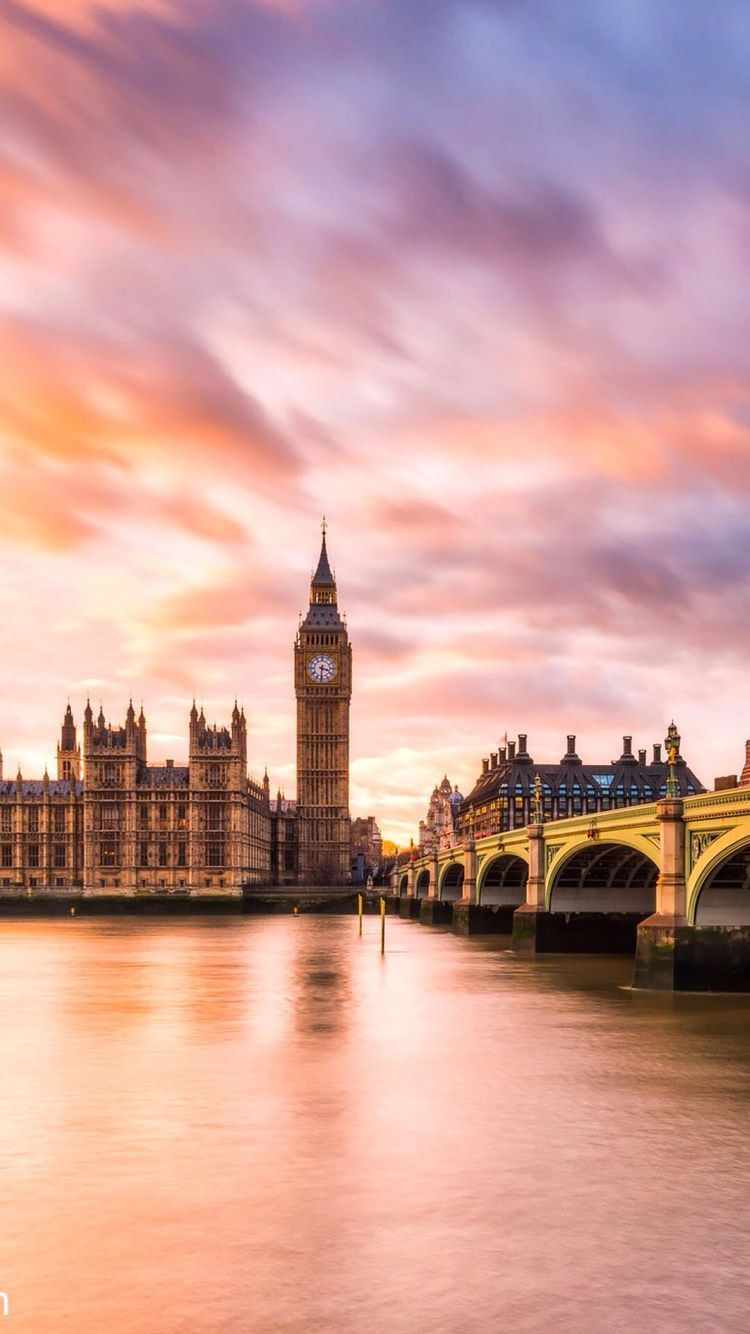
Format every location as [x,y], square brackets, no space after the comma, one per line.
[134,828]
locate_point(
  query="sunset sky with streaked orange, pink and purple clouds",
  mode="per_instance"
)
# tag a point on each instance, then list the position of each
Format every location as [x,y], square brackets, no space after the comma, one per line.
[469,278]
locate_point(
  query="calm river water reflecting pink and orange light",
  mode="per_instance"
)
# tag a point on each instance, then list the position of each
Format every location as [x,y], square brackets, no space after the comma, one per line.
[260,1125]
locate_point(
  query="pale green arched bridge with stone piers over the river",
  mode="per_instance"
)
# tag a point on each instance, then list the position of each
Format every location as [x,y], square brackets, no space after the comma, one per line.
[671,880]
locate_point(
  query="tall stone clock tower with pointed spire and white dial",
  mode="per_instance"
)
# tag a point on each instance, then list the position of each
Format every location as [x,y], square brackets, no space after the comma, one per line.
[324,693]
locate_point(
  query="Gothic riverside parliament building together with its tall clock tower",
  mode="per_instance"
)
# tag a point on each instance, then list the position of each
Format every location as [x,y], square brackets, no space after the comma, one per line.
[113,824]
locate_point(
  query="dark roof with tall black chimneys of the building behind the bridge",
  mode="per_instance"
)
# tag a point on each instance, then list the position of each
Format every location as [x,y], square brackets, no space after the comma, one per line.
[627,781]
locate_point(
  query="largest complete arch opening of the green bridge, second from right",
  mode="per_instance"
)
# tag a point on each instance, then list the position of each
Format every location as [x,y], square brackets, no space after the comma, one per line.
[605,876]
